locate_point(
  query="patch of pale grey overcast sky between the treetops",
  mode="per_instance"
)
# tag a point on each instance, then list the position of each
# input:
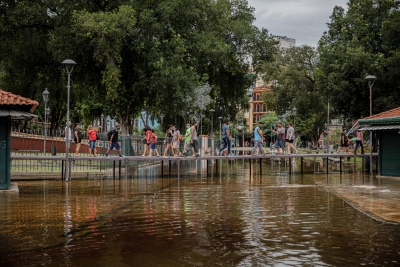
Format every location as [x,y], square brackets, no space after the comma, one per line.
[303,20]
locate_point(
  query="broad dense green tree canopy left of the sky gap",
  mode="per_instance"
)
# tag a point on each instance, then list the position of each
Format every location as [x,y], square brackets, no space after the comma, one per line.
[132,55]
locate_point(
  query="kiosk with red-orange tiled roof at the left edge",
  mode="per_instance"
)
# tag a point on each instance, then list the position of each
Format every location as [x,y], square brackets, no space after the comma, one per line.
[12,107]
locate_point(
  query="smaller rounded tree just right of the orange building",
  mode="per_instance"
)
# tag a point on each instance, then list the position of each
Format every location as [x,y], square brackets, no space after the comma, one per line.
[293,73]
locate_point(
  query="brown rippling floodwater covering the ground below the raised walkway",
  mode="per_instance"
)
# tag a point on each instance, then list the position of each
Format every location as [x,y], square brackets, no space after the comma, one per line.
[280,219]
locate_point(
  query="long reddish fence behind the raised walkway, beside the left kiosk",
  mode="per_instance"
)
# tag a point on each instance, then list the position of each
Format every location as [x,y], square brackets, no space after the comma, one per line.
[31,143]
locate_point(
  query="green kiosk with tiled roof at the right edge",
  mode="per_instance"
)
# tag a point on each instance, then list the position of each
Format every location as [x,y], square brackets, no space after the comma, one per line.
[387,128]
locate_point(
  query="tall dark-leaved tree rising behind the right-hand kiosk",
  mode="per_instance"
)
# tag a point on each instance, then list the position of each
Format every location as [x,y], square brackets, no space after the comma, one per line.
[360,42]
